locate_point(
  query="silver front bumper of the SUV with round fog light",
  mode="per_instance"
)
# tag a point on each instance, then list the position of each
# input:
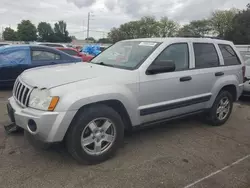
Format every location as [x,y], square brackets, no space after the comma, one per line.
[51,126]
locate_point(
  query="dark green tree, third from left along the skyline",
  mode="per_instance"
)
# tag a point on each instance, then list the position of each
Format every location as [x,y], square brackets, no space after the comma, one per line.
[45,32]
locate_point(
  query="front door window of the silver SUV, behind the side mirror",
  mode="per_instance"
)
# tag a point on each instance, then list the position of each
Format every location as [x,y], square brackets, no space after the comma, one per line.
[178,53]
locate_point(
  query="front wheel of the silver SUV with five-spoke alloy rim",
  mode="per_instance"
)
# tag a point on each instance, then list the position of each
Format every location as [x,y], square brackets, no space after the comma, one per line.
[82,124]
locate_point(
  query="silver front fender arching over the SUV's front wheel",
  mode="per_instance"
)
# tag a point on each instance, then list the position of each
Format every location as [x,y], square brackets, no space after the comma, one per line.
[79,98]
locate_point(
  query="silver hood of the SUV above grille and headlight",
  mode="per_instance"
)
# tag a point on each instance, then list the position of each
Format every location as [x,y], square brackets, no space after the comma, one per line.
[57,75]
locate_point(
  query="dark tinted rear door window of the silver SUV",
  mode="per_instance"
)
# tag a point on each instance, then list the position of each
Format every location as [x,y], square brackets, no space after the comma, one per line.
[205,55]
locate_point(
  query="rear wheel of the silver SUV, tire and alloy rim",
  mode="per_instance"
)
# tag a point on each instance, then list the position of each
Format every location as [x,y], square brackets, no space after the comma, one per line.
[221,109]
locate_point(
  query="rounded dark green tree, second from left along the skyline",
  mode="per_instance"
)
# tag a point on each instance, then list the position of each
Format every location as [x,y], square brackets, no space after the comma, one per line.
[26,31]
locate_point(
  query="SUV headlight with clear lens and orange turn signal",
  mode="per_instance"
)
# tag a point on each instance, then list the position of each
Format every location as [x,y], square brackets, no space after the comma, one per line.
[41,100]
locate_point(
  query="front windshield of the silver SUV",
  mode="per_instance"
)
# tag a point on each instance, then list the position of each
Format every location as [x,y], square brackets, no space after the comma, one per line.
[126,54]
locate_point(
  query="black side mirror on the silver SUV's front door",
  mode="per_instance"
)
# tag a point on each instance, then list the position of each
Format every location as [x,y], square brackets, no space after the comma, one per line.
[161,67]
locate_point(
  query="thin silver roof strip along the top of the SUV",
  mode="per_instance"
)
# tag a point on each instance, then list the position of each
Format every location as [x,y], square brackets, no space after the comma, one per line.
[178,39]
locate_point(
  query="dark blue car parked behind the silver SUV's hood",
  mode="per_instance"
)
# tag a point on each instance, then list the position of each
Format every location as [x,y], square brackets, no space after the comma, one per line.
[14,59]
